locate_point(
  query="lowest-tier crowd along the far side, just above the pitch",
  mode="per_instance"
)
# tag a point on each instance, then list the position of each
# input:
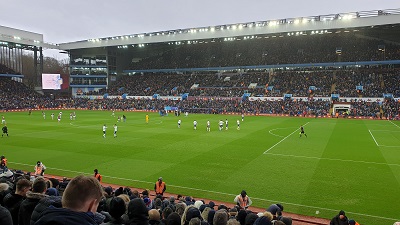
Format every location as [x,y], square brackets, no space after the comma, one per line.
[16,95]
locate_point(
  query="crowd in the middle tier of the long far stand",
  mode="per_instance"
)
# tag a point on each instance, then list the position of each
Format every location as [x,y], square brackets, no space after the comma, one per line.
[374,82]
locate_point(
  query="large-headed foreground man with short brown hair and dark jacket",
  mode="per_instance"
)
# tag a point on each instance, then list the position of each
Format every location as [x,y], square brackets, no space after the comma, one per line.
[80,201]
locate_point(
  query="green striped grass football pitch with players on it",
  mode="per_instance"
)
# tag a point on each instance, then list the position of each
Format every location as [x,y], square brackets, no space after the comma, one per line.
[346,164]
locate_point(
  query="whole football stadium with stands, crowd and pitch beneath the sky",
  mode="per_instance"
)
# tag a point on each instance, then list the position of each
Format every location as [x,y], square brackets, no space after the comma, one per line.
[297,119]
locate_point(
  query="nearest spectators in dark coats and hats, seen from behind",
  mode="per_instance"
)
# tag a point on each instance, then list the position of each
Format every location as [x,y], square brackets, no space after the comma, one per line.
[26,199]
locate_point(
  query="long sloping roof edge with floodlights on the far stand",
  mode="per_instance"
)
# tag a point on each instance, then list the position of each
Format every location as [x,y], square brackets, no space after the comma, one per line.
[319,23]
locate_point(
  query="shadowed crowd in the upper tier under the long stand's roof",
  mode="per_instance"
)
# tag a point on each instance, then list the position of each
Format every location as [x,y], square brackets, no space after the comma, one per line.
[272,50]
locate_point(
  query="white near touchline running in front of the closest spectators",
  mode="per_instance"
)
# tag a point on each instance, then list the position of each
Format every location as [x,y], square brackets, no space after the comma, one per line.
[214,192]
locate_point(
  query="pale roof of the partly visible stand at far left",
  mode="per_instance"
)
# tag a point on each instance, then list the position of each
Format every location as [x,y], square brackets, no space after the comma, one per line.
[12,37]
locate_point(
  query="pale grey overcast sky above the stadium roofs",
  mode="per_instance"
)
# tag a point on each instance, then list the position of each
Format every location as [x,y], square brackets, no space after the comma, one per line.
[73,20]
